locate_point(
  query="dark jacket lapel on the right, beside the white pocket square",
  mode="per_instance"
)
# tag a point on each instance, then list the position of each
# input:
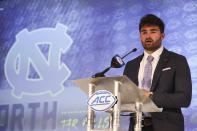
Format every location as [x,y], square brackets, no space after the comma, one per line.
[161,64]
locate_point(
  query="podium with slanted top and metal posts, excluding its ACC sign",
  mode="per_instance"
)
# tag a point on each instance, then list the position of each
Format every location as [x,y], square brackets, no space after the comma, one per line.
[129,99]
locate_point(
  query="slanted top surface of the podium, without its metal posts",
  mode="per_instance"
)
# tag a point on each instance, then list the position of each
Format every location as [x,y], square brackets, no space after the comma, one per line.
[129,92]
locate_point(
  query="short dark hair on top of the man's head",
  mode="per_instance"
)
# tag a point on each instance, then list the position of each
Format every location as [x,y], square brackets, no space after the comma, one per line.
[151,19]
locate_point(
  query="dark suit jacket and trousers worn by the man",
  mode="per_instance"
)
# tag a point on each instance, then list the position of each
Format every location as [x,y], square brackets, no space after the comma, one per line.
[171,87]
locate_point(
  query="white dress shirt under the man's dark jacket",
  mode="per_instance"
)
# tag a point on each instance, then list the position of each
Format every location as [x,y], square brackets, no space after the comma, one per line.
[156,56]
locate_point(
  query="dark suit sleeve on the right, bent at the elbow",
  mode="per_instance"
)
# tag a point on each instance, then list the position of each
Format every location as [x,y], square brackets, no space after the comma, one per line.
[181,88]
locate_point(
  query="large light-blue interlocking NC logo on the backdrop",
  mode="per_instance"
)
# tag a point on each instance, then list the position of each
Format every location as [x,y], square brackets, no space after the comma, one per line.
[27,55]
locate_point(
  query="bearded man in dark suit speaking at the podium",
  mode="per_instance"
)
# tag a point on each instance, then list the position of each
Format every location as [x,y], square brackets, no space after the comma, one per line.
[162,75]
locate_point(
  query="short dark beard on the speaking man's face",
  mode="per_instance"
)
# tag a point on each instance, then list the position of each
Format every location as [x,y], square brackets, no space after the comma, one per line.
[154,46]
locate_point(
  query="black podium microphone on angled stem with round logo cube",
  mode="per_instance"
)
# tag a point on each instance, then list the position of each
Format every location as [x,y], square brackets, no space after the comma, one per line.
[116,62]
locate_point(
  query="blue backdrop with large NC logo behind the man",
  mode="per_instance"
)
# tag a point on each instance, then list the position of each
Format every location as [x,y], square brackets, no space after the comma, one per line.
[44,44]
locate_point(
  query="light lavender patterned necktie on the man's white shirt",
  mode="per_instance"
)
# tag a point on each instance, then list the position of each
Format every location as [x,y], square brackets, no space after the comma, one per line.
[146,82]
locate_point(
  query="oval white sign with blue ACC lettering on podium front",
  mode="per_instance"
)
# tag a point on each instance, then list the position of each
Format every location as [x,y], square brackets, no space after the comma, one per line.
[101,100]
